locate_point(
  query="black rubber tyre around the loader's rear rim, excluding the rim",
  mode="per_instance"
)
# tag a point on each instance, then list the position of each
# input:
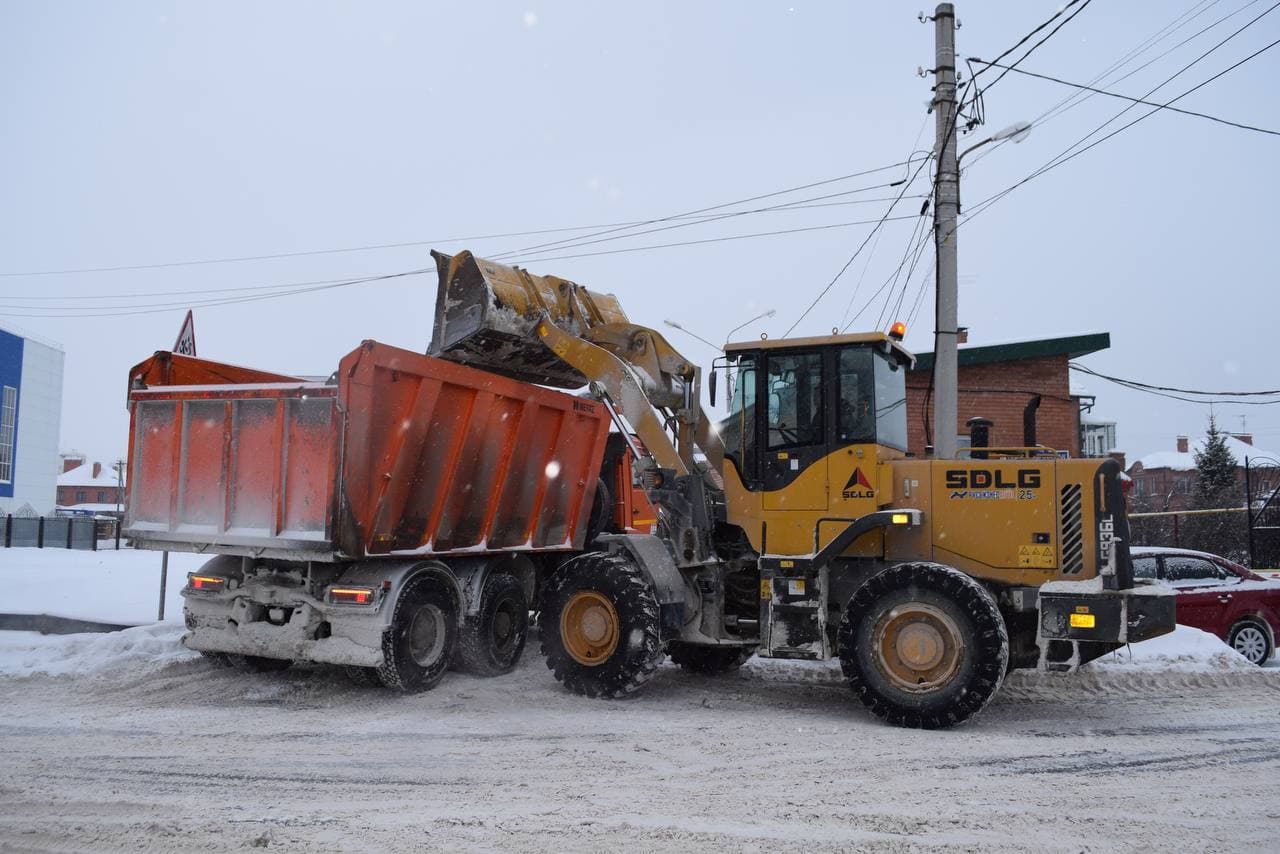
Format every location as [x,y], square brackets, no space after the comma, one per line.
[973,600]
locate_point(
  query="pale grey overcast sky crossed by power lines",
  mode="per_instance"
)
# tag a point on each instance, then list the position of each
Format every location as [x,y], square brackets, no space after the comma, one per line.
[143,134]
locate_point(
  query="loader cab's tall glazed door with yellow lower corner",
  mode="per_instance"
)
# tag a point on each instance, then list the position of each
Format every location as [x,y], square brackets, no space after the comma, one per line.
[796,444]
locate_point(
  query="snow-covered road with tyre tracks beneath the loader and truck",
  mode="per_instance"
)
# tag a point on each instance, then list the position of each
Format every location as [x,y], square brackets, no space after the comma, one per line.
[184,756]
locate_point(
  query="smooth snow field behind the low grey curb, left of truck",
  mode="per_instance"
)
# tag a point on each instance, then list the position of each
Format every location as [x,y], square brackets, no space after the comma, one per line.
[111,587]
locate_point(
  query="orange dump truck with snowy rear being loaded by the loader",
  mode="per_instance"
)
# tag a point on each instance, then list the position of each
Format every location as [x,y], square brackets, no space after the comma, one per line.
[388,519]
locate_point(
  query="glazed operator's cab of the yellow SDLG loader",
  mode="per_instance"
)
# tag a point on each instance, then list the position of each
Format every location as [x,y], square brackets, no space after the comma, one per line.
[797,401]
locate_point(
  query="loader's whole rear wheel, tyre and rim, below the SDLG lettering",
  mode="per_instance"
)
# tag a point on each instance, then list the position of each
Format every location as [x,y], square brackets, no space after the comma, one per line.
[924,646]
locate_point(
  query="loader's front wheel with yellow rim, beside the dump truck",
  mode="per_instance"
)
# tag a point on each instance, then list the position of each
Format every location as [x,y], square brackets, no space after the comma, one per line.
[600,625]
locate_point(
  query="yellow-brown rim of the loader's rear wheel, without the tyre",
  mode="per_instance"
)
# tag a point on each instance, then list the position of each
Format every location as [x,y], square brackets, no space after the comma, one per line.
[918,647]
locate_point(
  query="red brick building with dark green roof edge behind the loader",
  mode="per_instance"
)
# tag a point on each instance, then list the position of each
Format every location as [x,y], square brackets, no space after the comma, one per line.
[998,382]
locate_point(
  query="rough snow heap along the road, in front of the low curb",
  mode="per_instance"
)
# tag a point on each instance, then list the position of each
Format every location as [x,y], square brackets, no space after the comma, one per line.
[26,654]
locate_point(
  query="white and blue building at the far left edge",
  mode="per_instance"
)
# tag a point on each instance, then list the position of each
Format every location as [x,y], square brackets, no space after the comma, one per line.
[31,413]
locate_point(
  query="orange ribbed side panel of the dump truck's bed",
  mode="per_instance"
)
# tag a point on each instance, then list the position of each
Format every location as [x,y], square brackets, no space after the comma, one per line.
[445,459]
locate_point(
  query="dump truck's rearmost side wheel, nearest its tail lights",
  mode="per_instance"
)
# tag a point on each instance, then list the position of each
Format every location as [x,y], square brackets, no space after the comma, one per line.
[419,646]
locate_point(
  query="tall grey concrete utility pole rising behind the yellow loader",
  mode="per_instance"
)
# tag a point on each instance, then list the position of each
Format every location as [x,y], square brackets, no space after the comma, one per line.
[947,208]
